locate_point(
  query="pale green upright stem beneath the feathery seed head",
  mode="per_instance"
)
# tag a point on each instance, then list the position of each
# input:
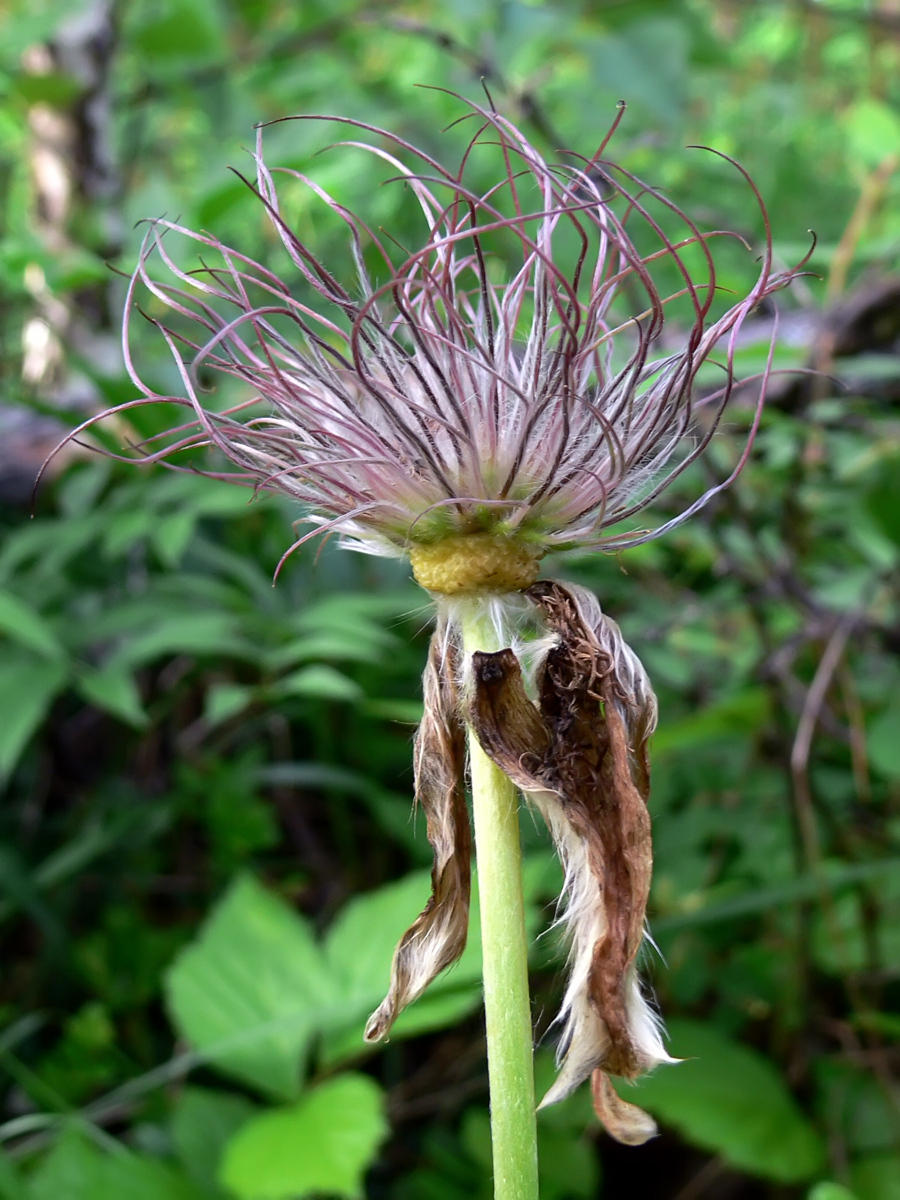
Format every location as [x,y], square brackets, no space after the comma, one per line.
[508,1010]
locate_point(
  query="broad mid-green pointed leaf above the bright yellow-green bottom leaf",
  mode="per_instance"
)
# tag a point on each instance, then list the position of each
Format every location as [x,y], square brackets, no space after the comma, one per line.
[253,989]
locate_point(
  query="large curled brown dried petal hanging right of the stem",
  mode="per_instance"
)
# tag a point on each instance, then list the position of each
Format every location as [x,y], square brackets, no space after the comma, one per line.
[581,757]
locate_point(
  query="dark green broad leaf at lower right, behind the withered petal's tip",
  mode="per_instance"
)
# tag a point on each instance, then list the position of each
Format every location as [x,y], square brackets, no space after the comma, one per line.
[730,1100]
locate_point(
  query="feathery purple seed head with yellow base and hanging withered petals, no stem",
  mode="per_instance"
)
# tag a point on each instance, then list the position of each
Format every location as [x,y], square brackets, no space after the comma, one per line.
[500,392]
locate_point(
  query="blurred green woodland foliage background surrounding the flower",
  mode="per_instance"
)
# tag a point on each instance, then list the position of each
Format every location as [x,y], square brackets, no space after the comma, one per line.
[207,845]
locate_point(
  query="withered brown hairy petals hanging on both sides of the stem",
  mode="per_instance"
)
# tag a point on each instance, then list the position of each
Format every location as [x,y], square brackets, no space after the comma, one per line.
[580,755]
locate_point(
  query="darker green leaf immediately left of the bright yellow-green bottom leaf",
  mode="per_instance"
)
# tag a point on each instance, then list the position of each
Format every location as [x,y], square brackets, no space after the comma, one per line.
[202,1125]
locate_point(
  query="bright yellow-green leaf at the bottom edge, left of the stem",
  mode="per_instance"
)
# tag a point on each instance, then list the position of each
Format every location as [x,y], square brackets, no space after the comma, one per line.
[323,1144]
